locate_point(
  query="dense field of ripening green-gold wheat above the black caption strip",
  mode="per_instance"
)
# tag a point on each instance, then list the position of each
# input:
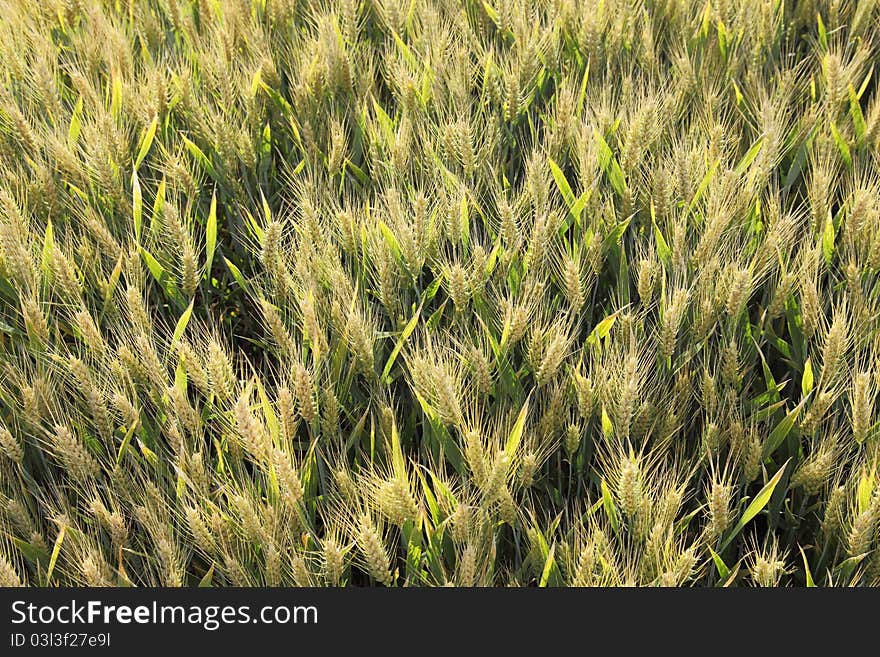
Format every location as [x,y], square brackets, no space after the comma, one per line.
[426,292]
